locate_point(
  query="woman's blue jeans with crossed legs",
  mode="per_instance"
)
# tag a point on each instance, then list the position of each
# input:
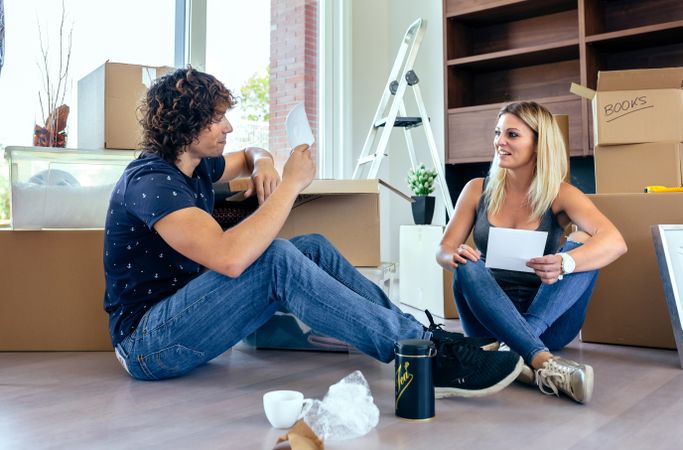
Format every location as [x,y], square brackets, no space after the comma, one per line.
[548,322]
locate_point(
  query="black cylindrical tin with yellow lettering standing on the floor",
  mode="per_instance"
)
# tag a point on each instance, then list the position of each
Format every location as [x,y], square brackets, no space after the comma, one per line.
[414,387]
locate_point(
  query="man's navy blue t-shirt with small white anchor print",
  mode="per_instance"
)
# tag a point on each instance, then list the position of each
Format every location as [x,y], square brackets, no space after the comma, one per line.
[140,268]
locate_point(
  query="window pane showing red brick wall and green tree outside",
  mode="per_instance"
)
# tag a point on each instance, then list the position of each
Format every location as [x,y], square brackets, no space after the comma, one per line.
[271,43]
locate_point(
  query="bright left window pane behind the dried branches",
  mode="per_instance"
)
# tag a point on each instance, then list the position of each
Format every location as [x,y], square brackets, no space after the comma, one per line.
[126,31]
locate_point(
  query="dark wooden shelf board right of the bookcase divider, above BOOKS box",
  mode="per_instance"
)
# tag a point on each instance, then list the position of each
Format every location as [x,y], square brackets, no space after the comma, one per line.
[641,36]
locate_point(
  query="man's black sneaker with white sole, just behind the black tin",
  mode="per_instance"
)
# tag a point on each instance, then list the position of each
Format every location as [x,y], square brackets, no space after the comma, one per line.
[464,370]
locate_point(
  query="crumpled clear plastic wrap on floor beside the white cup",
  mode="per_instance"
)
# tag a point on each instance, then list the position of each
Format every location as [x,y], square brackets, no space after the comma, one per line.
[347,411]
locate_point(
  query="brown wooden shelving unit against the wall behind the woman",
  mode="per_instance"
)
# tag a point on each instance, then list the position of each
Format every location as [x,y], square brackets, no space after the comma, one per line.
[498,51]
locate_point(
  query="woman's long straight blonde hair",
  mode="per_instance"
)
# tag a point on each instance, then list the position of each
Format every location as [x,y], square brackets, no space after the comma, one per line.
[551,160]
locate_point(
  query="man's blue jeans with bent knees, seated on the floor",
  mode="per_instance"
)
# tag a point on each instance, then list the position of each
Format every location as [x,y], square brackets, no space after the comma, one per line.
[307,276]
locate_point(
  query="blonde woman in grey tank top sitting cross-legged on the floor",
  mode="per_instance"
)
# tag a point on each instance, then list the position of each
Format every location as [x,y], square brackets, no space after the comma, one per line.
[532,313]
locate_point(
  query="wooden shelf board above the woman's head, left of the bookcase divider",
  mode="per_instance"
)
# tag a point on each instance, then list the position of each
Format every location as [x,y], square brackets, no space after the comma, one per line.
[519,57]
